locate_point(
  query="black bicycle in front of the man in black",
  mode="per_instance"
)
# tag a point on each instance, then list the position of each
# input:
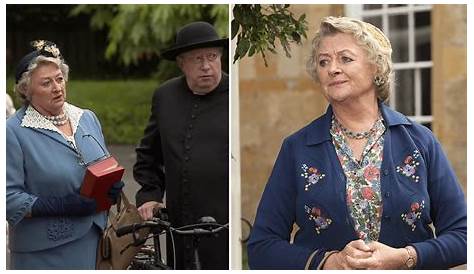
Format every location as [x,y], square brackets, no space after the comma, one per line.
[149,256]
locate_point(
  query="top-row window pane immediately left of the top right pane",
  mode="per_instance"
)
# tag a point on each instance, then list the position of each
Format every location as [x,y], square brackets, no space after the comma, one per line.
[398,35]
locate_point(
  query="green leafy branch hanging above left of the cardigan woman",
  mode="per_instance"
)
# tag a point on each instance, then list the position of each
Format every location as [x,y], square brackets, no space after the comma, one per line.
[258,26]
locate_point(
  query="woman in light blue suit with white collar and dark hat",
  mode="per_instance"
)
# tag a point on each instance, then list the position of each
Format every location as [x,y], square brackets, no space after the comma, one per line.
[49,143]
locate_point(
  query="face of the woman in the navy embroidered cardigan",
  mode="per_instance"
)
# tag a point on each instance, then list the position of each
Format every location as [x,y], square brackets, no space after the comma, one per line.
[344,70]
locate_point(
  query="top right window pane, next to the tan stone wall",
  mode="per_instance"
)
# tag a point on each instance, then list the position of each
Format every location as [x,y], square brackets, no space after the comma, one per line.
[423,36]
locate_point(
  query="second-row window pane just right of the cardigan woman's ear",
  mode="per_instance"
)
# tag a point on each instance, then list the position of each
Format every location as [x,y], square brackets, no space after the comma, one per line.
[405,98]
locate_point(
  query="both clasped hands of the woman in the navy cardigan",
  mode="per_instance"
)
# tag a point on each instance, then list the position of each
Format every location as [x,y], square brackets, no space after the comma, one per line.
[374,255]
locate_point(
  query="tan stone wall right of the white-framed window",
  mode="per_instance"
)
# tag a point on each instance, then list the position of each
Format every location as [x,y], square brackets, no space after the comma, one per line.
[449,103]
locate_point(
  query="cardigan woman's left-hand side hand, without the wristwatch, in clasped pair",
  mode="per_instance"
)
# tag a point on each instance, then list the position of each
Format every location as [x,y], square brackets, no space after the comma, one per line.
[350,257]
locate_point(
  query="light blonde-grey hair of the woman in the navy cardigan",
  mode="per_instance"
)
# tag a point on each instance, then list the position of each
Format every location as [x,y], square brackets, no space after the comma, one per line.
[369,37]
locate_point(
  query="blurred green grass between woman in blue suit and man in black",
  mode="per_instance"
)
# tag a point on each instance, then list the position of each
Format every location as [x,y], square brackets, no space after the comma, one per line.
[123,106]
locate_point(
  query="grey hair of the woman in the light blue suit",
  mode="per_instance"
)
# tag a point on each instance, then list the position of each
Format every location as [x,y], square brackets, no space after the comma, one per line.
[22,88]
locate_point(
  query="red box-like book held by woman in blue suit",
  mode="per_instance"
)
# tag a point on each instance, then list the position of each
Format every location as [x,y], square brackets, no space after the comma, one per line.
[99,178]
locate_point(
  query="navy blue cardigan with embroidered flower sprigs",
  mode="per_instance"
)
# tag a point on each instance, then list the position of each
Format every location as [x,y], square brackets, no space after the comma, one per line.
[413,196]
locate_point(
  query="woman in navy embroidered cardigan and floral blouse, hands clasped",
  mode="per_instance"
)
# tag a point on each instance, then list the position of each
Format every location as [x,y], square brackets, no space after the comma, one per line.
[362,182]
